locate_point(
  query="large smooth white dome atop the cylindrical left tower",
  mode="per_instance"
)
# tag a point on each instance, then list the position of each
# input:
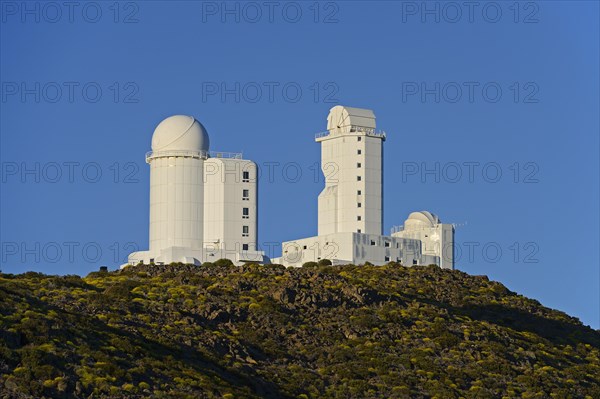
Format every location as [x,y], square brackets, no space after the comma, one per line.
[180,133]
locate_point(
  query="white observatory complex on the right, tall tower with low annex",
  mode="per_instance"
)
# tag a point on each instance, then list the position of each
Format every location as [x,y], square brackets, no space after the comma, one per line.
[350,207]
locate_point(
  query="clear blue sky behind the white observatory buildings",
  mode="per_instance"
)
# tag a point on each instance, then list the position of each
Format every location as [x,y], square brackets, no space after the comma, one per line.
[540,133]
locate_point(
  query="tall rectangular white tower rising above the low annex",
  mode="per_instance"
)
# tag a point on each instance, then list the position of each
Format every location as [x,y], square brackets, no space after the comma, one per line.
[351,161]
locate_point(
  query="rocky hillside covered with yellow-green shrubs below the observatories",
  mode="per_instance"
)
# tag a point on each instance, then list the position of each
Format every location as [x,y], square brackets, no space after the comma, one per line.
[217,331]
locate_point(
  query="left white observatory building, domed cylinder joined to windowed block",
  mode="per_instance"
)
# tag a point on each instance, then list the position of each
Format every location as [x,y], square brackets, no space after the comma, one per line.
[202,204]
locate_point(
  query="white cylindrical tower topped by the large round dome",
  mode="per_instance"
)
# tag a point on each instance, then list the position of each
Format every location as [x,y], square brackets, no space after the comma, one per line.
[179,147]
